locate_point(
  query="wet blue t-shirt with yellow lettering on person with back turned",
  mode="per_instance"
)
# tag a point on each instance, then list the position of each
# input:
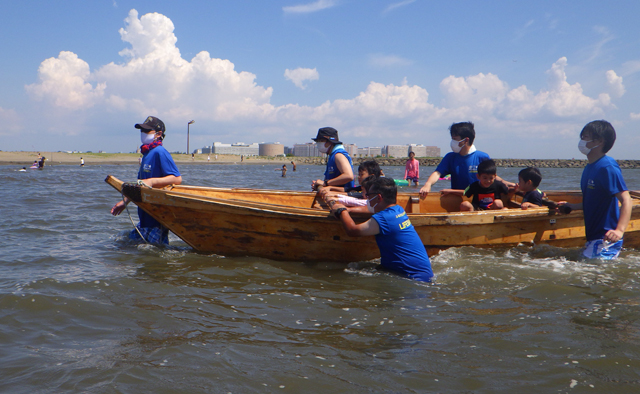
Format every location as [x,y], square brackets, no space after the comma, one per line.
[401,248]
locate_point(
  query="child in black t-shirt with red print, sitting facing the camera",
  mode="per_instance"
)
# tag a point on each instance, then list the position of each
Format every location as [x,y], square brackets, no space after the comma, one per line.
[486,191]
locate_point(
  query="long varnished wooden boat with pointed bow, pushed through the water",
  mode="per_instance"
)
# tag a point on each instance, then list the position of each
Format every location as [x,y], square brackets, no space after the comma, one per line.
[296,226]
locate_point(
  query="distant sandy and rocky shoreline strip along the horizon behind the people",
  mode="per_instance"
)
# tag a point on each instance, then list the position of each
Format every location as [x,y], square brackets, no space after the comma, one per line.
[25,159]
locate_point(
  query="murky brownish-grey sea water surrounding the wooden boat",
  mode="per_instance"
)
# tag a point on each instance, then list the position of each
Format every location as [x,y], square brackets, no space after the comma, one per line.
[85,310]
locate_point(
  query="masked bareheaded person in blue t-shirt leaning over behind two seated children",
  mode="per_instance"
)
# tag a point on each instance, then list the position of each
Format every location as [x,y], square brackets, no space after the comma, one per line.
[462,162]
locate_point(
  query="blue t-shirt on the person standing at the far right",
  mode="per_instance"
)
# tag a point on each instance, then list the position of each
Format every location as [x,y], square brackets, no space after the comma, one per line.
[600,183]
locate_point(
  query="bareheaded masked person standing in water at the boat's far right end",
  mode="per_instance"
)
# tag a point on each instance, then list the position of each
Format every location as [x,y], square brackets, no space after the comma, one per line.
[603,187]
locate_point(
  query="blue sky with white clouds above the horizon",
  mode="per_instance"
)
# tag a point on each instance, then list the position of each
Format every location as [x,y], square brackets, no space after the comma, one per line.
[77,75]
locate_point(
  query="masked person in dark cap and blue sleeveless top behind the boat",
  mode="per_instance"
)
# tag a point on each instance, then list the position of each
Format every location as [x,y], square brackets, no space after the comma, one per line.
[338,171]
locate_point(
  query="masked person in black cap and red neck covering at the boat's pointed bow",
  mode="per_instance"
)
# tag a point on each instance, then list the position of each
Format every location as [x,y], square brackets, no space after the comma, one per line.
[157,170]
